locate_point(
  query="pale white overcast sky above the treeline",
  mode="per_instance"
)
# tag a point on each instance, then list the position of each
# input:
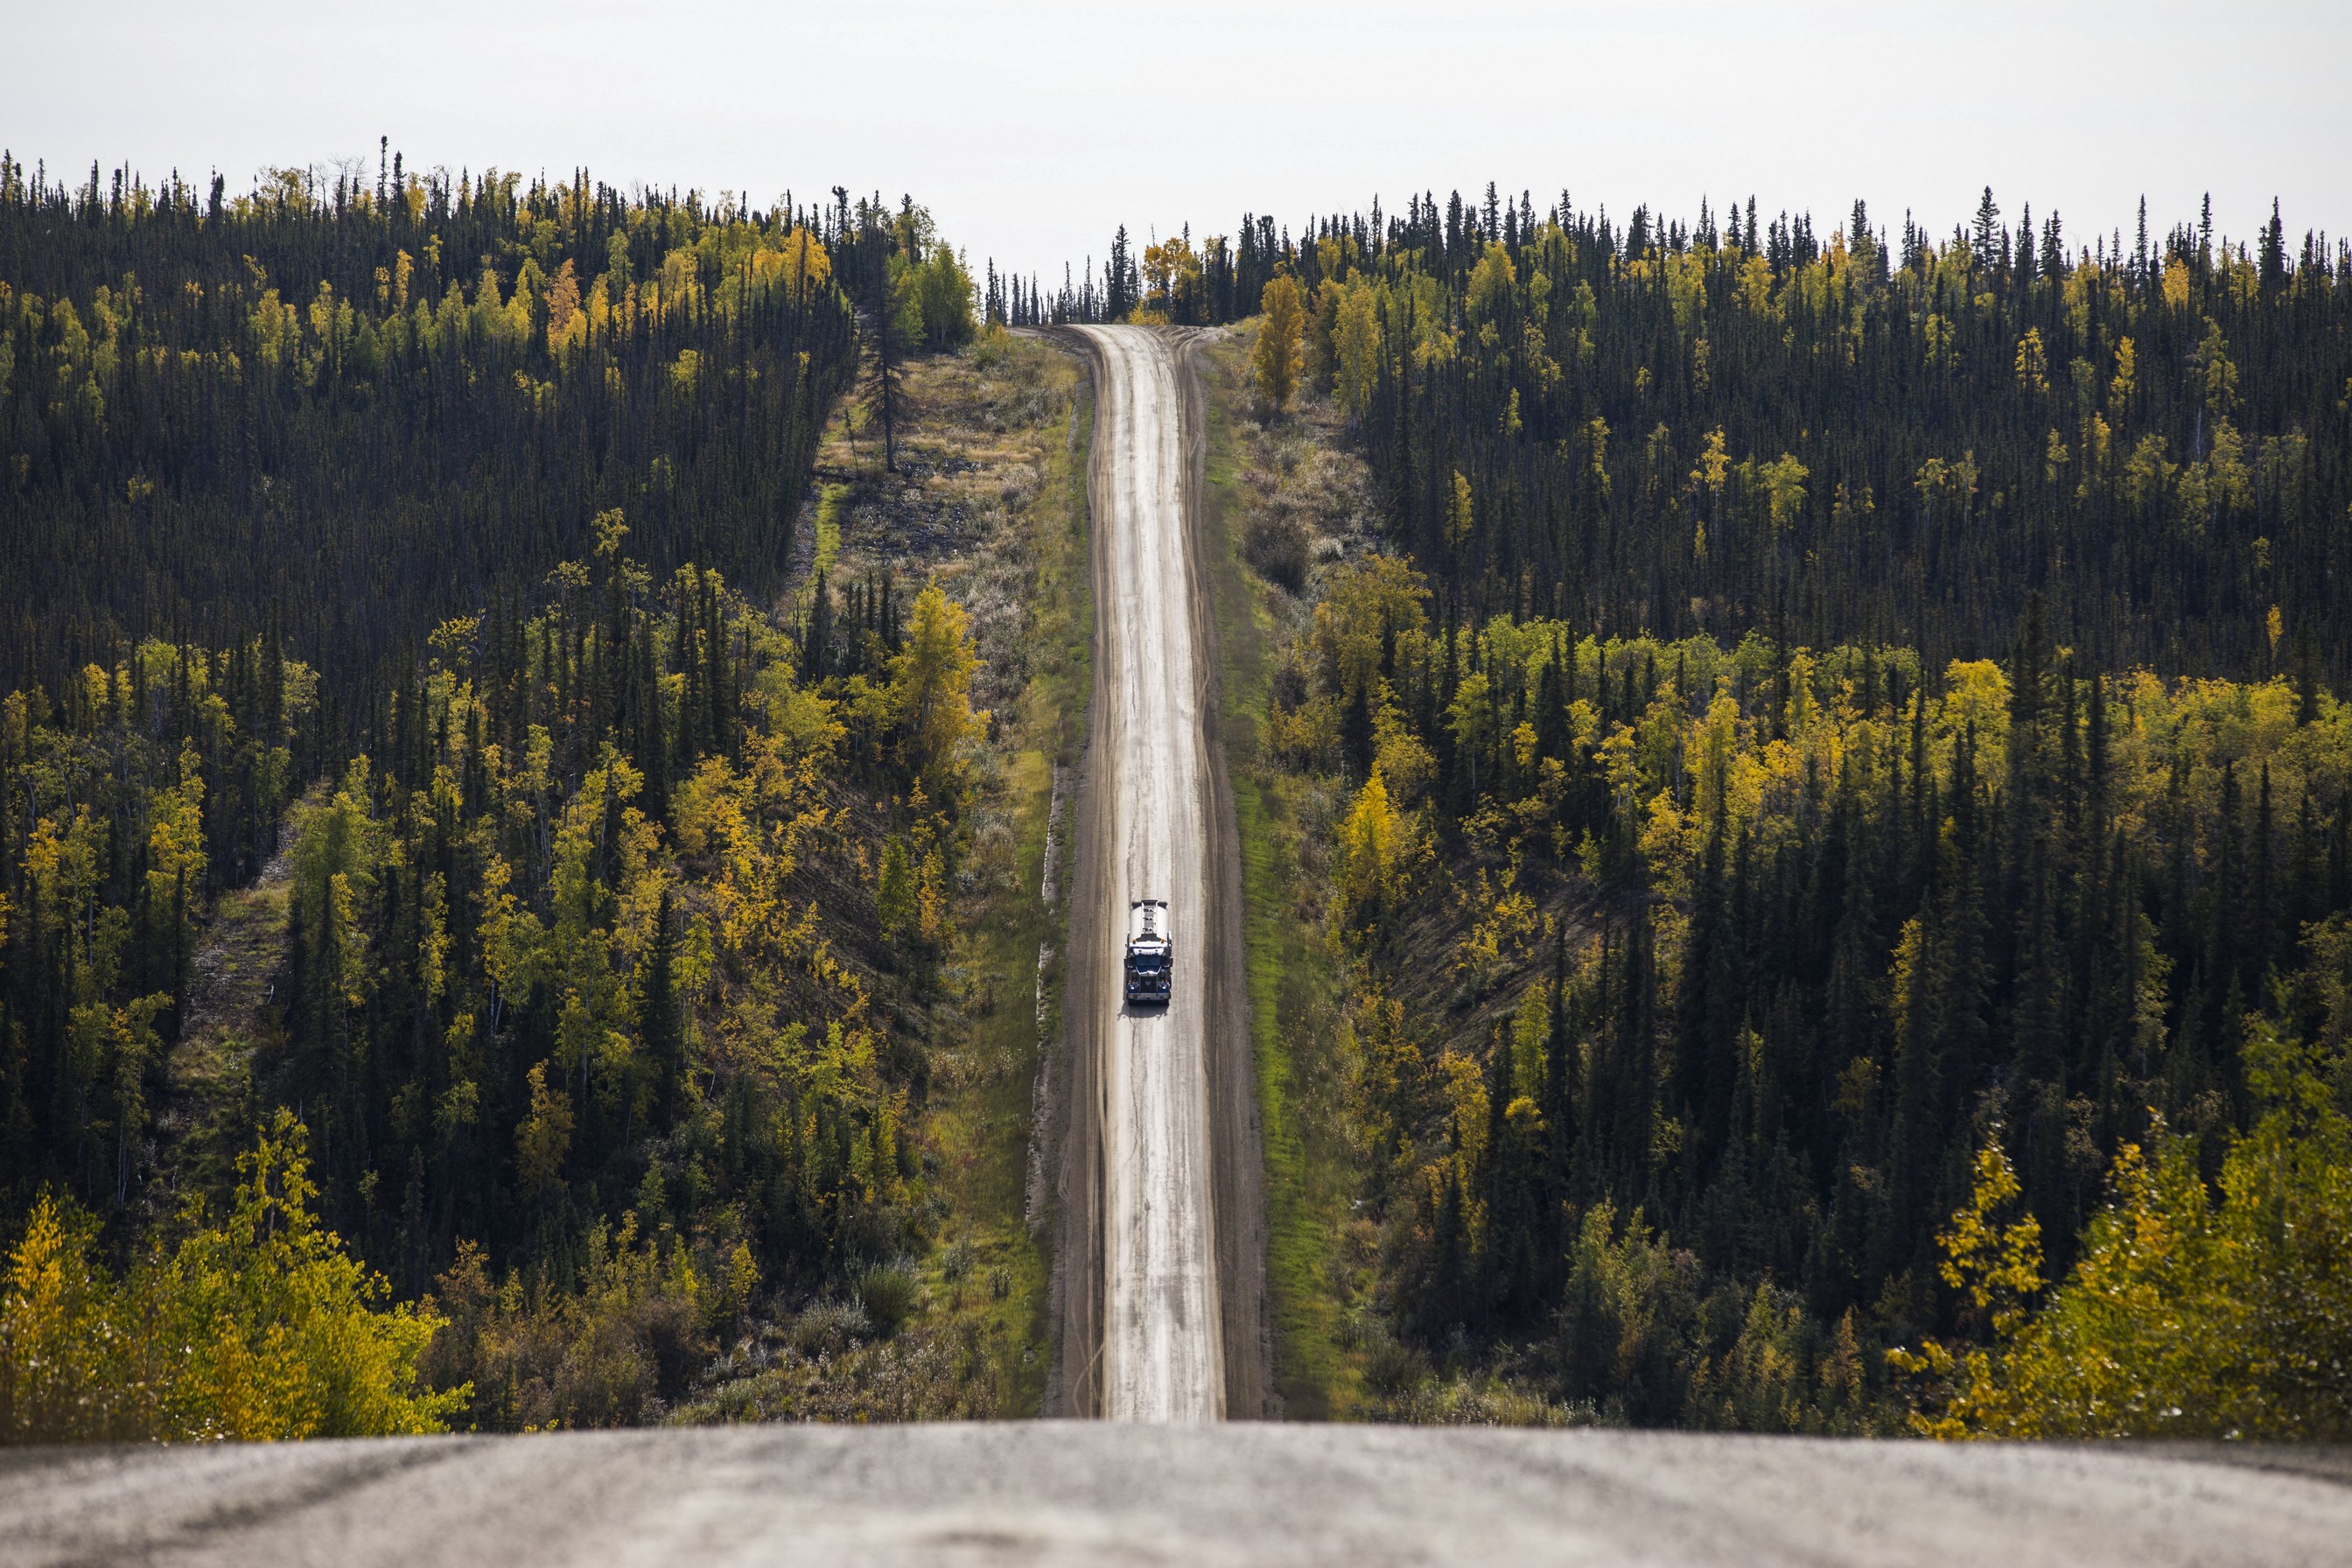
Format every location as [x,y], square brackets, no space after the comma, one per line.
[1034,128]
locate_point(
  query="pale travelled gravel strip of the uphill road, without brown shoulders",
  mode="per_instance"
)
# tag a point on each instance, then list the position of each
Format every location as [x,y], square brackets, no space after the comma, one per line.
[1163,1353]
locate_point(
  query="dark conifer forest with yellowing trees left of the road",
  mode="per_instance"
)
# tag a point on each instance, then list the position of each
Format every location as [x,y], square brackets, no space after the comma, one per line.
[410,547]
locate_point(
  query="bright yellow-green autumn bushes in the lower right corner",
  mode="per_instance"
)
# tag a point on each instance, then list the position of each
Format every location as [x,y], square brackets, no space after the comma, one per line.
[2189,1315]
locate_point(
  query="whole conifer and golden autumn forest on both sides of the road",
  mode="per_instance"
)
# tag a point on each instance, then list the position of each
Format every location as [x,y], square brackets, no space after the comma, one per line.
[1810,758]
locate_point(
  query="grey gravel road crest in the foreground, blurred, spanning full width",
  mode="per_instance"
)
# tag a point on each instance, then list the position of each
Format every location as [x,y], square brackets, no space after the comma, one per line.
[1118,1494]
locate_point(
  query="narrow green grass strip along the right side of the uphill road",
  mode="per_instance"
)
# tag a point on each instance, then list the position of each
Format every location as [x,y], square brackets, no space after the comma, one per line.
[1292,977]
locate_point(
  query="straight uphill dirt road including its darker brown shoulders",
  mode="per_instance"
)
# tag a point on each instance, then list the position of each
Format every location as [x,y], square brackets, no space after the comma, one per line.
[1144,1318]
